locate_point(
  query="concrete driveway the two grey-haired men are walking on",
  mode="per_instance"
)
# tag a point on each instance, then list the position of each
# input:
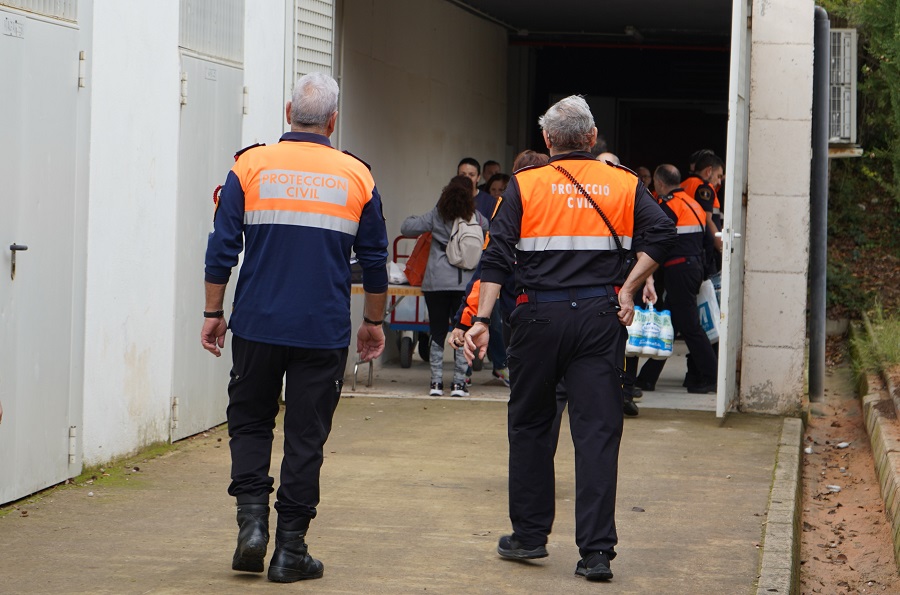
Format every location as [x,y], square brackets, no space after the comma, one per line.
[413,501]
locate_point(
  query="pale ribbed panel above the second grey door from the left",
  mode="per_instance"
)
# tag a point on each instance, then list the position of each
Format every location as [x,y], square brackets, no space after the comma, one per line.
[213,28]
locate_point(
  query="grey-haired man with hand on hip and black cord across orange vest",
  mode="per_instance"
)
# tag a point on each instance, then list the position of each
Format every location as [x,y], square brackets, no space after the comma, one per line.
[567,231]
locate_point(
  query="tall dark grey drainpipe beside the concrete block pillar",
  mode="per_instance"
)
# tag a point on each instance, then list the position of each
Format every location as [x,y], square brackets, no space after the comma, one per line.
[818,222]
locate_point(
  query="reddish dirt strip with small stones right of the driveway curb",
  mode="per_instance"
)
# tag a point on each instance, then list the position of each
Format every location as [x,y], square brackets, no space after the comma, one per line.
[846,537]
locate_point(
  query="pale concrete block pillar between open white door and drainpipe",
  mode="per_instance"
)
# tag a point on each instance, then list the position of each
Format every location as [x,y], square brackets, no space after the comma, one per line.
[777,246]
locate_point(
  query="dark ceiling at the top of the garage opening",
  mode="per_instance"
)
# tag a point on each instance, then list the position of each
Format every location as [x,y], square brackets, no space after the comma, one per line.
[679,22]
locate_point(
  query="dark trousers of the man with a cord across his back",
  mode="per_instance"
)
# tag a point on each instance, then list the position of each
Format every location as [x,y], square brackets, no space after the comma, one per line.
[584,342]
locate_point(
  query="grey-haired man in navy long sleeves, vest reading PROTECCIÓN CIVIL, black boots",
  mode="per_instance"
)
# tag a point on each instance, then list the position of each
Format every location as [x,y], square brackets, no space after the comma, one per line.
[297,209]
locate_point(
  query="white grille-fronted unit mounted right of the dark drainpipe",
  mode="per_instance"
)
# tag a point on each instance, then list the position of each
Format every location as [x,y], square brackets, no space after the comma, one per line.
[842,105]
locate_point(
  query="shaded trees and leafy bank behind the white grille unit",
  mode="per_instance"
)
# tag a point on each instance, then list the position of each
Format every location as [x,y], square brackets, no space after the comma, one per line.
[864,194]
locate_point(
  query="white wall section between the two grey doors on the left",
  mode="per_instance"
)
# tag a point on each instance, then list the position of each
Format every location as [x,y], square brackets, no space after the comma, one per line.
[131,248]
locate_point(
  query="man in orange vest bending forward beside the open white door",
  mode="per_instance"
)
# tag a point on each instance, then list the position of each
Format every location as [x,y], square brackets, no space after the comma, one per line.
[680,278]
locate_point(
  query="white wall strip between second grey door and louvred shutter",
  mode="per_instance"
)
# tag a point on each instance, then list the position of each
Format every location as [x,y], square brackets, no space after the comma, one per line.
[264,40]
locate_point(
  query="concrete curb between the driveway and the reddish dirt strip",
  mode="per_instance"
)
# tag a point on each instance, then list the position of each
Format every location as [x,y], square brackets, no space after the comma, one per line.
[779,571]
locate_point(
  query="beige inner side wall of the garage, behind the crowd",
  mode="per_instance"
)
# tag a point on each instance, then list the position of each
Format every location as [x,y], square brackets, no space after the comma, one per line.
[415,100]
